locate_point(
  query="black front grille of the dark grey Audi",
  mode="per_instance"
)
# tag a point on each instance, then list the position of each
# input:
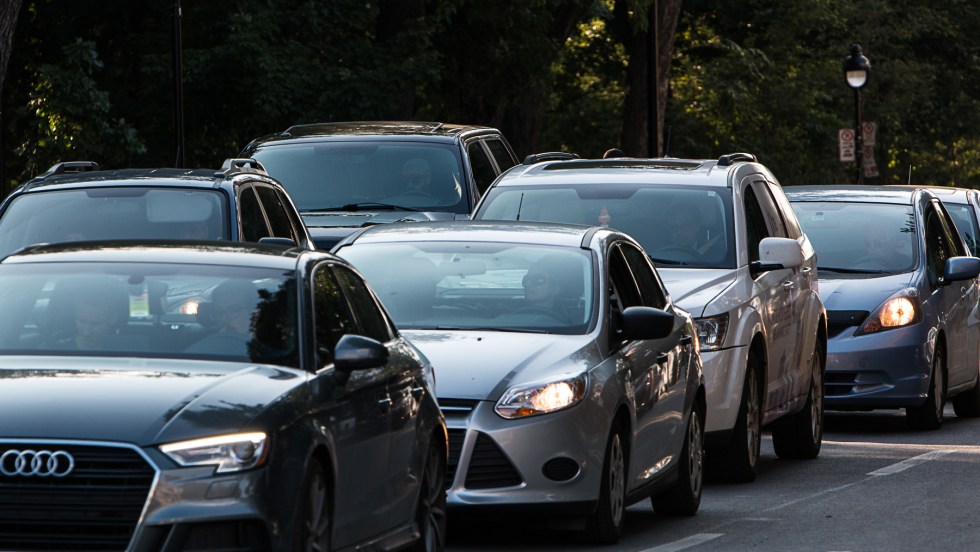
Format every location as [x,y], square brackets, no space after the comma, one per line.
[95,507]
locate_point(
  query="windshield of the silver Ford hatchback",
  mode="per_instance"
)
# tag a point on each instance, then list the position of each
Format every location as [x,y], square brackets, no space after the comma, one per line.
[472,285]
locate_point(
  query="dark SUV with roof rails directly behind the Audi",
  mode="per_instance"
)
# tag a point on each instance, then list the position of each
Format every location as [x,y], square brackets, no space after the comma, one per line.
[75,201]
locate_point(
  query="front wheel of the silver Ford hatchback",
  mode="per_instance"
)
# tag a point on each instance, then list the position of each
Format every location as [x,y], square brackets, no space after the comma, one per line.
[605,525]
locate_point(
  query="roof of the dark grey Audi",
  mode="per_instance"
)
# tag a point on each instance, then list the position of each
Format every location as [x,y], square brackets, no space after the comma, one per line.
[205,253]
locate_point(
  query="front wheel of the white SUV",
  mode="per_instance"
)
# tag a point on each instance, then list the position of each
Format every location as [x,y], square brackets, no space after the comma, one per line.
[738,461]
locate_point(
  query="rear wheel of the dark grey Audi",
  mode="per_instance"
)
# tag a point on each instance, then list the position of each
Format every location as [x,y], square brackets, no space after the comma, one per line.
[430,513]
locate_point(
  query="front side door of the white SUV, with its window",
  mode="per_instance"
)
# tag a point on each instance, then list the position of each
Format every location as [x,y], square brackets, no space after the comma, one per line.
[777,292]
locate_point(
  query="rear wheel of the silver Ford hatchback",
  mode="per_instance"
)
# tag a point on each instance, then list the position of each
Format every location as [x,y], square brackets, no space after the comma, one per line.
[683,498]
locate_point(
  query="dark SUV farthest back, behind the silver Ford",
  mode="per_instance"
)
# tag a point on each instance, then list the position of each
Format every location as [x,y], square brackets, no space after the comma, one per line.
[347,175]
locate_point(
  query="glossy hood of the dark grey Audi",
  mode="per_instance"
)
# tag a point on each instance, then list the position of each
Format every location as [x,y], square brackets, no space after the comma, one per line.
[139,401]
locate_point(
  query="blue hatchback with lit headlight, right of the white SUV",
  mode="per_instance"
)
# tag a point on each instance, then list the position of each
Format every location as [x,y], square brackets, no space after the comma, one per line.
[901,293]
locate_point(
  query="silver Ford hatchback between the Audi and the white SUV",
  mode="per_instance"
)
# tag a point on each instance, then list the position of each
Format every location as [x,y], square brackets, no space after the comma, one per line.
[570,382]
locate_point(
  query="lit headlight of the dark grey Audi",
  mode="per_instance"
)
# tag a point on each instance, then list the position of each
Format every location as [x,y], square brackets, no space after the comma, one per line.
[229,453]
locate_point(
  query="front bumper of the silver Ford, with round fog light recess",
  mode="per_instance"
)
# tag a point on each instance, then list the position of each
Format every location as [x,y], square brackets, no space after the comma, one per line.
[550,463]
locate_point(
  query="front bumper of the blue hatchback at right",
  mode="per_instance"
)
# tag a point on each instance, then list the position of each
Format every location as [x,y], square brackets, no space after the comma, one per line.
[889,369]
